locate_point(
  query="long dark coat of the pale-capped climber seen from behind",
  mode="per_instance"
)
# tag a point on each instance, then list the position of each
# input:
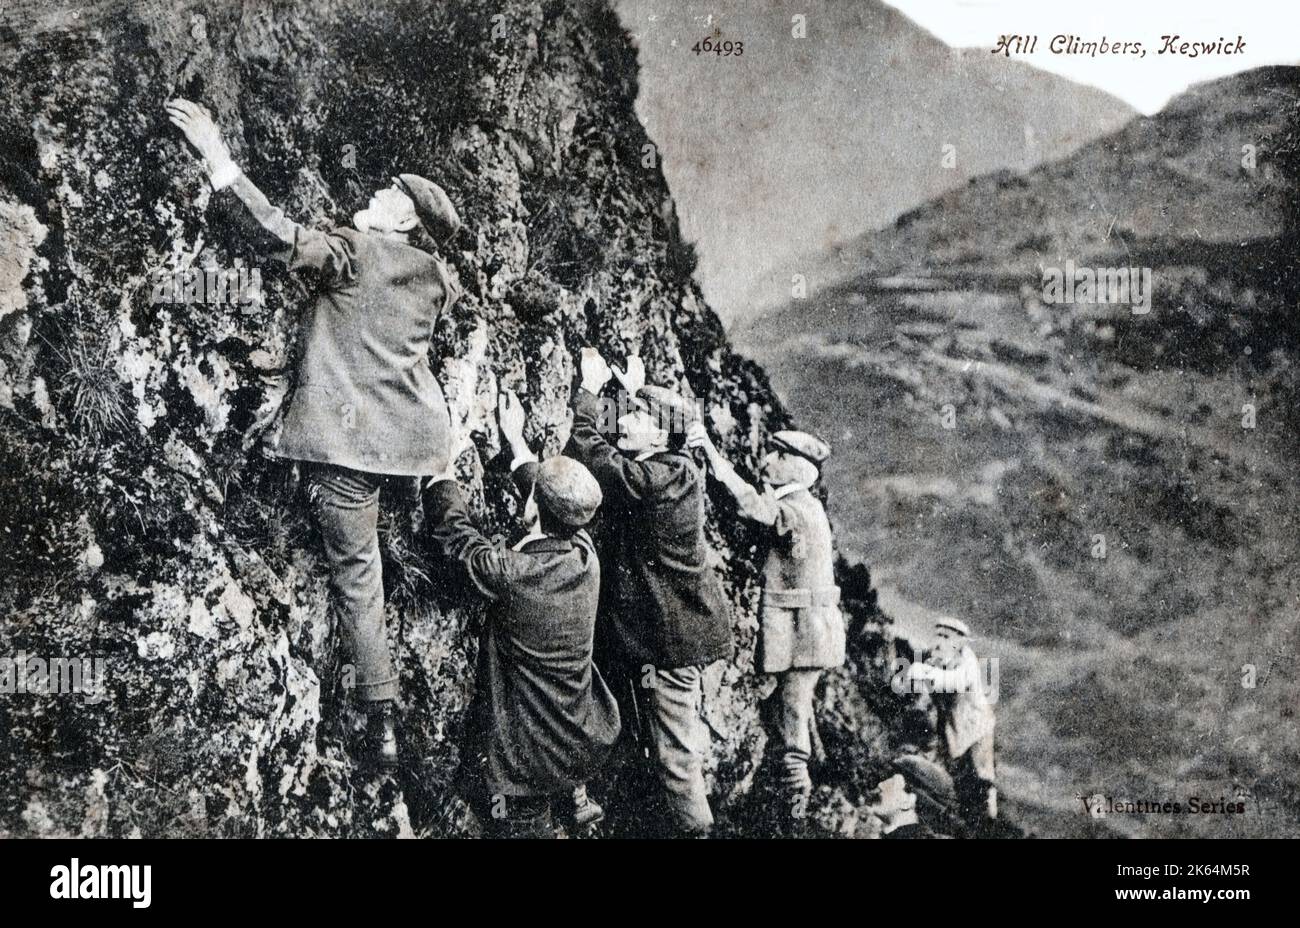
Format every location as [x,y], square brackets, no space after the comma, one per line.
[541,719]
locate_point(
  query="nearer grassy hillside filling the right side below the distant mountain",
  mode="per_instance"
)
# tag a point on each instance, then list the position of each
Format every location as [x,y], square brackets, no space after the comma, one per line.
[1113,501]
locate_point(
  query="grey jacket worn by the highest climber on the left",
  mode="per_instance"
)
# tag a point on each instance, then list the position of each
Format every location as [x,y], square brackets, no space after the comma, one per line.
[366,397]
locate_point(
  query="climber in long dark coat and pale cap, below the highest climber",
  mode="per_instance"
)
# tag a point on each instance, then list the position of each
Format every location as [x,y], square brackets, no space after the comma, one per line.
[543,719]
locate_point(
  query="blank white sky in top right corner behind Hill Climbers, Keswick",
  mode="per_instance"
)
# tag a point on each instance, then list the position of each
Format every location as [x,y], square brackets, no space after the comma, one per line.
[1269,28]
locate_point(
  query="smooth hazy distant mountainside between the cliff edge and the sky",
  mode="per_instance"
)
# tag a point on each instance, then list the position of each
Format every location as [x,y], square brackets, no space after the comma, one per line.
[796,145]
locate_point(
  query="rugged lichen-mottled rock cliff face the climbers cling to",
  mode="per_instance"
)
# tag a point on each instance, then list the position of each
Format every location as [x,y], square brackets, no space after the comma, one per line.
[144,526]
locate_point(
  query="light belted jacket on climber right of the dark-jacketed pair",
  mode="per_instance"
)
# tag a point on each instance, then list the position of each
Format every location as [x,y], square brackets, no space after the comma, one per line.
[800,622]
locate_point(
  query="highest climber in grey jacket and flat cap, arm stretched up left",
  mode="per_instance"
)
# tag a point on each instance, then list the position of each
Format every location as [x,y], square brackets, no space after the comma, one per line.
[367,405]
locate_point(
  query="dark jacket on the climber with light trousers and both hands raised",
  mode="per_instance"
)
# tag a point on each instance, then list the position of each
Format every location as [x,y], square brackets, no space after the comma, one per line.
[666,605]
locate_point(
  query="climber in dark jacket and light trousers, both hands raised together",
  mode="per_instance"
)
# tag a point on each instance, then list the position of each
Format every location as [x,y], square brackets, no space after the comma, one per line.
[666,606]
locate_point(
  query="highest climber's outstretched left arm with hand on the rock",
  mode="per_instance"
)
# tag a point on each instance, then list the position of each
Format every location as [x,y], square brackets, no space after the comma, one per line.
[298,246]
